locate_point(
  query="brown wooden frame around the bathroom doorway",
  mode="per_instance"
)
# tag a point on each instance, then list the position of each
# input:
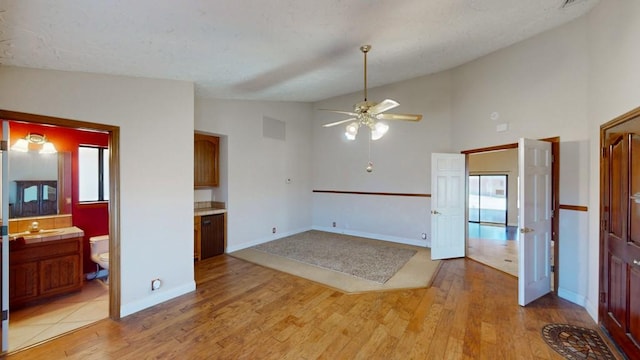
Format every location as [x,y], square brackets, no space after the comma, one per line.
[114,192]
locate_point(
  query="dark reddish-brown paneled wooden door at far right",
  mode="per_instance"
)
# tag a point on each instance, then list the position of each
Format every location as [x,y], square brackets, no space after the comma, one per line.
[619,310]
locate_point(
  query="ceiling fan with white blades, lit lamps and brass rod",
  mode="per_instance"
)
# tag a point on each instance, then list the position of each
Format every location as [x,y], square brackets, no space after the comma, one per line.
[367,113]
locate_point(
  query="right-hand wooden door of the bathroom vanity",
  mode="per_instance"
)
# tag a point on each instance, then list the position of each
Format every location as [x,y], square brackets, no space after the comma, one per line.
[59,274]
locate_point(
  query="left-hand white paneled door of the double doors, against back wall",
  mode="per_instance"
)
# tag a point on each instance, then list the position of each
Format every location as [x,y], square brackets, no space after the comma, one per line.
[448,206]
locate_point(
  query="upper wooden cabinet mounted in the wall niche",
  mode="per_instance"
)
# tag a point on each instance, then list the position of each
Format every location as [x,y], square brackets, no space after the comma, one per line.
[206,150]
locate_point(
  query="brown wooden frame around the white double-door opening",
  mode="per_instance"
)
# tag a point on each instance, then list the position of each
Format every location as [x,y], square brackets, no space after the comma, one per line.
[555,194]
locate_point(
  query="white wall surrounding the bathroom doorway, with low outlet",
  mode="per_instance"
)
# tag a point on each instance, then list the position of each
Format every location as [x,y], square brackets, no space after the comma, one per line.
[156,143]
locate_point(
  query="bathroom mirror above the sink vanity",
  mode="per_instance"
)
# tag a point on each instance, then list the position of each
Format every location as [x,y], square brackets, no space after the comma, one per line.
[39,184]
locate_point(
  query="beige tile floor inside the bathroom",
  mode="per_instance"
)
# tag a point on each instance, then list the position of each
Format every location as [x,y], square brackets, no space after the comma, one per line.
[34,324]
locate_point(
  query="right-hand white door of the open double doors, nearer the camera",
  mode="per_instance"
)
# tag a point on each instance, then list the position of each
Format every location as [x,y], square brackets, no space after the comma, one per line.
[534,250]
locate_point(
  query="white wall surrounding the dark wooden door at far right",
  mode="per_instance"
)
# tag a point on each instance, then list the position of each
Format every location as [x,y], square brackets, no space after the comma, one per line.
[614,89]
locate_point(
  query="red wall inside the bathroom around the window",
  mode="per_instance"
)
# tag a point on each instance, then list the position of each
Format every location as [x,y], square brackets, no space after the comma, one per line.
[92,218]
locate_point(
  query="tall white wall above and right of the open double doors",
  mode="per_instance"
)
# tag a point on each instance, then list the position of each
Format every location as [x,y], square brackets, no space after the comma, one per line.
[539,88]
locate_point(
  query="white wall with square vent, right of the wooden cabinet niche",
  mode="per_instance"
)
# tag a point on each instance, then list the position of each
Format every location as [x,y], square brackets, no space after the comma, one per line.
[258,197]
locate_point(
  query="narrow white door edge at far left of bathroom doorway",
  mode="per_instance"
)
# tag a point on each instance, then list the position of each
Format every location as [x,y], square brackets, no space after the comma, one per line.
[5,238]
